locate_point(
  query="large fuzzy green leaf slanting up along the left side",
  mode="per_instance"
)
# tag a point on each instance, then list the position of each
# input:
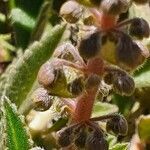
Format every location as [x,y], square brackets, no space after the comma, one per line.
[22,74]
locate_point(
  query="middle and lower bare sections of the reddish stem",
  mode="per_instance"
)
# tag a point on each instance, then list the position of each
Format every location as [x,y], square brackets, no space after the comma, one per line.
[85,101]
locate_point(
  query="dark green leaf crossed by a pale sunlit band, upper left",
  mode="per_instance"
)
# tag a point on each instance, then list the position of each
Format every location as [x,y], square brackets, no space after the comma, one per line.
[23,19]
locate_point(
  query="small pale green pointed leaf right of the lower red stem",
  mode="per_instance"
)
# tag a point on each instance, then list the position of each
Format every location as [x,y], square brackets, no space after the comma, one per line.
[100,109]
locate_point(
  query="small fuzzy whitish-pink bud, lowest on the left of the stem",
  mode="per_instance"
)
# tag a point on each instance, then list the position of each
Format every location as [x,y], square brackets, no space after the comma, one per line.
[41,100]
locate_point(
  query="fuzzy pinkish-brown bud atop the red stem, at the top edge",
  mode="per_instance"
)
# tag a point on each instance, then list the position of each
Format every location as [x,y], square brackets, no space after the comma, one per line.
[115,7]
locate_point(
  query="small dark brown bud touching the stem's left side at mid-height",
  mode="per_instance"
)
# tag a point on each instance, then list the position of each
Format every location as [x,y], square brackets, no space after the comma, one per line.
[76,86]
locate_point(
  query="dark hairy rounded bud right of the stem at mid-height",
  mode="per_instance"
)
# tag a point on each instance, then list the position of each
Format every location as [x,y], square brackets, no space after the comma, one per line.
[123,84]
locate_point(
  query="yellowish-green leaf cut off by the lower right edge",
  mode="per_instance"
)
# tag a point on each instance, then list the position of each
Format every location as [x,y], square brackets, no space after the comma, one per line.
[144,128]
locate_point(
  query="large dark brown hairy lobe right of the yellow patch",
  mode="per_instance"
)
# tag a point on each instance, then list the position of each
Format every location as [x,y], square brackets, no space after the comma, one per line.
[126,52]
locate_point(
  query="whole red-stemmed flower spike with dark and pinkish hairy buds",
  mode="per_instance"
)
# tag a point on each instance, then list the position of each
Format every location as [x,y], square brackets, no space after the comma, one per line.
[106,53]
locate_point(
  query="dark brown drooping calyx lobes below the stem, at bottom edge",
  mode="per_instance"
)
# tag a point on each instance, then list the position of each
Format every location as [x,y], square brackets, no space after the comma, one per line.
[87,135]
